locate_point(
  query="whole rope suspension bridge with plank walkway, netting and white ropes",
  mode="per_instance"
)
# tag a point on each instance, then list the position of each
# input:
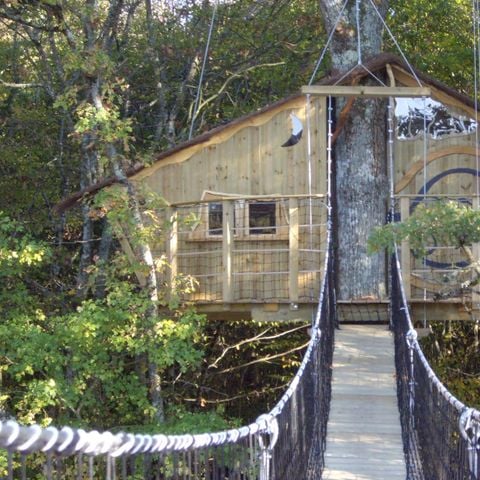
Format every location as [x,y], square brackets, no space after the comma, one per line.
[364,405]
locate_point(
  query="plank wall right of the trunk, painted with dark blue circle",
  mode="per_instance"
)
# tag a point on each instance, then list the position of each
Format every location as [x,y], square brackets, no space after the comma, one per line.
[450,171]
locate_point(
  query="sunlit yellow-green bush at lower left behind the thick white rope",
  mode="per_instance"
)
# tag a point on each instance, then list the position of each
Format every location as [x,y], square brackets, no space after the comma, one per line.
[83,366]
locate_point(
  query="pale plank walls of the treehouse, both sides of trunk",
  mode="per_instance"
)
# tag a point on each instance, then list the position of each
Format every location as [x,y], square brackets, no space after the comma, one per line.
[249,160]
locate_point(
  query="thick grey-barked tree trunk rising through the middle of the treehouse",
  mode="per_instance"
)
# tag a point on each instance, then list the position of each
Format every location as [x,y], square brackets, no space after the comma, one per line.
[360,156]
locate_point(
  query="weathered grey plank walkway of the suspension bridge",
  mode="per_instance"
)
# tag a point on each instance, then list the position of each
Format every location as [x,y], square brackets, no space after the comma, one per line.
[364,439]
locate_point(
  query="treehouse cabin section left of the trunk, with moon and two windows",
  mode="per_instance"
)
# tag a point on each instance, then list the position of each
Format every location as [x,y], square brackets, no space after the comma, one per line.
[249,215]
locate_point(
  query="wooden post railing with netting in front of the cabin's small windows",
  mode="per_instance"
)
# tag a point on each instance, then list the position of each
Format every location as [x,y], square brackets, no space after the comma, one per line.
[272,252]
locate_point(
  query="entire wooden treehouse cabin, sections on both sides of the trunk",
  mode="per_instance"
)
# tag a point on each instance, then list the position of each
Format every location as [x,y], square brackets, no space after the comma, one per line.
[248,199]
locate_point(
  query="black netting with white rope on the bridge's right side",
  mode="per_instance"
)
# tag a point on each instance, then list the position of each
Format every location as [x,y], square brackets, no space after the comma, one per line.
[441,435]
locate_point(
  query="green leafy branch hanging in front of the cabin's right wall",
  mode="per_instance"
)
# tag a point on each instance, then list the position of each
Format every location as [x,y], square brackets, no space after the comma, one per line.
[443,223]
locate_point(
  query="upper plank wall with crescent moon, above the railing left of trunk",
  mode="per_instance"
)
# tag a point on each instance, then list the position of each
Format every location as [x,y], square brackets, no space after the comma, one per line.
[250,161]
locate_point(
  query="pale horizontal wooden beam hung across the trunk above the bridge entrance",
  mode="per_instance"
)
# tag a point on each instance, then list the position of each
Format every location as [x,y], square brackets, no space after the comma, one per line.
[364,91]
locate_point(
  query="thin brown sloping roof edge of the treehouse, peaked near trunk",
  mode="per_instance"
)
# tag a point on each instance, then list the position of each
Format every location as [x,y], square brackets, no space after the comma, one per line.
[401,71]
